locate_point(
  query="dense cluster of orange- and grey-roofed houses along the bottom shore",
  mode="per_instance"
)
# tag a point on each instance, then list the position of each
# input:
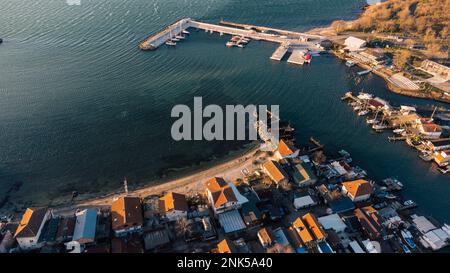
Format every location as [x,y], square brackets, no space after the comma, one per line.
[296,202]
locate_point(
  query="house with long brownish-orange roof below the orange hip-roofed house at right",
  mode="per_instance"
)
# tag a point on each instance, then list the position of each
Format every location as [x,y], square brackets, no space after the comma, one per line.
[370,222]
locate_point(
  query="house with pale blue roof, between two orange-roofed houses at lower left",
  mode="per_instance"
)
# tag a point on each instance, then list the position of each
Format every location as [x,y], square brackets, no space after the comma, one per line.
[85,226]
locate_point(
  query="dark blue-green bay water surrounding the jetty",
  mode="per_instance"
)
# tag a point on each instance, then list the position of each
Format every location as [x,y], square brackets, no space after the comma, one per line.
[82,107]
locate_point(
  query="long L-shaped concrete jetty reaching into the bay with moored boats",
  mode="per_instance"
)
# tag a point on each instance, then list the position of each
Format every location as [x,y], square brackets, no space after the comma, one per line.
[297,42]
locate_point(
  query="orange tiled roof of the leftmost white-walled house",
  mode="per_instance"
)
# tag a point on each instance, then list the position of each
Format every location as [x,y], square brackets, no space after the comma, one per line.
[31,222]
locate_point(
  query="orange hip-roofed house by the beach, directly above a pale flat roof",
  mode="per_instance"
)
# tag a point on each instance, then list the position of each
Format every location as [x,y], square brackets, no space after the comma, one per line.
[223,196]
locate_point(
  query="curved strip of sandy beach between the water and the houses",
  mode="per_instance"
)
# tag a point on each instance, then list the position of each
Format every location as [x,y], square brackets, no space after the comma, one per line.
[190,183]
